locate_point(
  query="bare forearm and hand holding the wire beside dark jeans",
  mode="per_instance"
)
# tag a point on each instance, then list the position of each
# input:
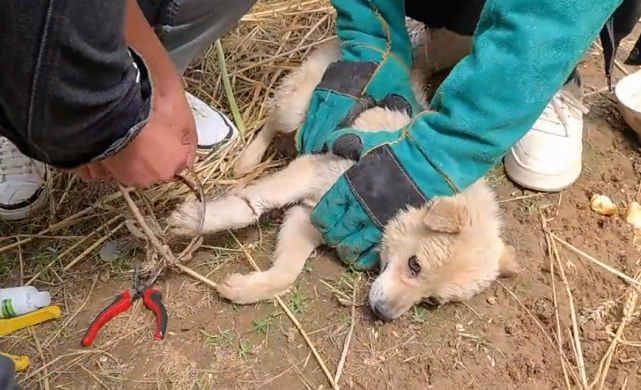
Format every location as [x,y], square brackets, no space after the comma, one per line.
[167,143]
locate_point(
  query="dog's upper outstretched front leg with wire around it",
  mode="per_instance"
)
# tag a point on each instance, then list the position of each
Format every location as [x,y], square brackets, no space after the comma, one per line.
[290,185]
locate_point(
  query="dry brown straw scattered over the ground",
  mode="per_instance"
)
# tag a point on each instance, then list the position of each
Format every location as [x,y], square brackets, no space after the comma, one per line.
[57,250]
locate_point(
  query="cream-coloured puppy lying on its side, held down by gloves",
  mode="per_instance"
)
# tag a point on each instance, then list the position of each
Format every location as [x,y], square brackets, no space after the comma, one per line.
[456,241]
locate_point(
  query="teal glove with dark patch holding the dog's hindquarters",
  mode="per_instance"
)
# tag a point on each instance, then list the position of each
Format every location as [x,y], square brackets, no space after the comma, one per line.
[376,61]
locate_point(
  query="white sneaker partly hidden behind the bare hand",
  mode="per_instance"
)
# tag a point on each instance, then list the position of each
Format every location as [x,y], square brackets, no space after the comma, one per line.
[213,127]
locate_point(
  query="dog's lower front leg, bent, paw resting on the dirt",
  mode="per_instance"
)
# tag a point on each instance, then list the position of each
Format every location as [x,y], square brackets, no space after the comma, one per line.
[297,240]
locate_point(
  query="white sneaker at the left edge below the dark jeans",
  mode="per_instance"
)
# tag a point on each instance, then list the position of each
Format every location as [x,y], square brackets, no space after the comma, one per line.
[22,183]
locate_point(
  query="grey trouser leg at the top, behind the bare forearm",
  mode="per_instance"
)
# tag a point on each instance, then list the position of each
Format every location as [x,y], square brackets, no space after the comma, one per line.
[188,28]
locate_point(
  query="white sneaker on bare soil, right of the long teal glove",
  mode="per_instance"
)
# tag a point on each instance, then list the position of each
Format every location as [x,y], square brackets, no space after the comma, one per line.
[548,158]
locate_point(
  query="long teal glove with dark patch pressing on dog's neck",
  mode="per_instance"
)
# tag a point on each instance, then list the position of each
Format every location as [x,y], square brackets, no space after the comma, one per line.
[523,52]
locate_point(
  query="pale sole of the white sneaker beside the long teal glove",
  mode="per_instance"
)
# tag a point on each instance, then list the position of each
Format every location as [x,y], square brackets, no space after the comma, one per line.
[538,182]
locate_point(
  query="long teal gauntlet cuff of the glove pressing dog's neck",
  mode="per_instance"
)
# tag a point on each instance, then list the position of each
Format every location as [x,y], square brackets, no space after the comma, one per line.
[523,52]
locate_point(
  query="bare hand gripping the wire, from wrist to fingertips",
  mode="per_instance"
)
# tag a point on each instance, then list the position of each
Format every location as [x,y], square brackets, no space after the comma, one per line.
[165,146]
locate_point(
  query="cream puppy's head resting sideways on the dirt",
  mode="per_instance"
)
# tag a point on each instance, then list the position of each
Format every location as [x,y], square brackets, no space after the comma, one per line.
[447,250]
